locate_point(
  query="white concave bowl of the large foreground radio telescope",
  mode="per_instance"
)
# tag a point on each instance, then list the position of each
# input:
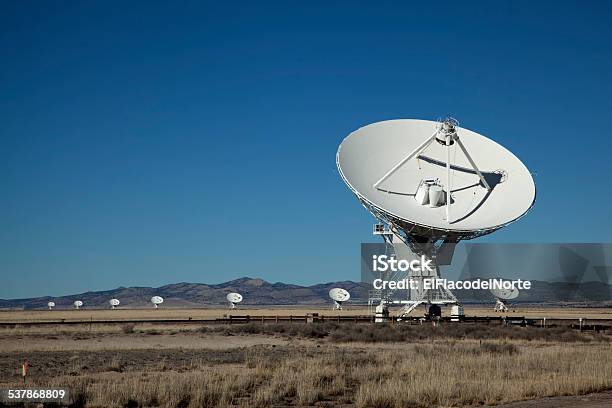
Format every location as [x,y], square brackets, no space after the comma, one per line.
[368,161]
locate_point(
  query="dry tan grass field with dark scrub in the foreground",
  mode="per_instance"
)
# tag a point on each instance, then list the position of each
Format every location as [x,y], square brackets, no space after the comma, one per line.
[323,364]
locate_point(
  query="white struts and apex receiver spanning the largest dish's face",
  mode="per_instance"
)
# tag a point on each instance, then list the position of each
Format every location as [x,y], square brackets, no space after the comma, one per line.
[445,134]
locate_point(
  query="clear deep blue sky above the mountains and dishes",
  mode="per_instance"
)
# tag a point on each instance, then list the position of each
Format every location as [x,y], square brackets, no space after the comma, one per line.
[150,143]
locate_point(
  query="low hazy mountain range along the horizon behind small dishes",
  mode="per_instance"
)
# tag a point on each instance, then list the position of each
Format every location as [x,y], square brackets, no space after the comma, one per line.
[260,292]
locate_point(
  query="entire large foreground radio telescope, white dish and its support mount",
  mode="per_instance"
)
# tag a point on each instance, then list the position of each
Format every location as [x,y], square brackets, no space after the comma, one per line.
[430,184]
